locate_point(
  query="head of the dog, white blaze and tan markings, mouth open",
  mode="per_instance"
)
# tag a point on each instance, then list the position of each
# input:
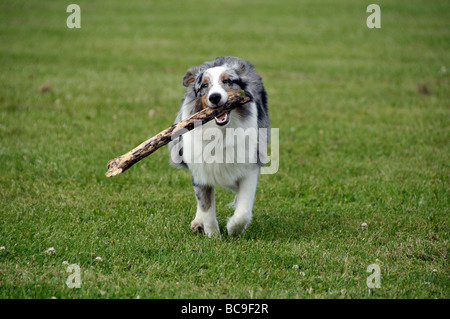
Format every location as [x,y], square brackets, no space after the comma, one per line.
[212,86]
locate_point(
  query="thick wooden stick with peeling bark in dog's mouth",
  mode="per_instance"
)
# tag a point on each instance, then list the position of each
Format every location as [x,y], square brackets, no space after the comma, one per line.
[122,163]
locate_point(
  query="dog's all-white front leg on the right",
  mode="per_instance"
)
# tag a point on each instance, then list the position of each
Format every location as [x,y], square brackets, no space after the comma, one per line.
[245,197]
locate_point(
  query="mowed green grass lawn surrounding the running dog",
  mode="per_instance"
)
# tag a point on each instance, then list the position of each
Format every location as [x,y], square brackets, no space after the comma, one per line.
[363,116]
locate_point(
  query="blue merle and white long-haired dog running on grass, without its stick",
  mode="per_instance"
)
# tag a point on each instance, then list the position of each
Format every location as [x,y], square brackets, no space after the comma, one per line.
[209,85]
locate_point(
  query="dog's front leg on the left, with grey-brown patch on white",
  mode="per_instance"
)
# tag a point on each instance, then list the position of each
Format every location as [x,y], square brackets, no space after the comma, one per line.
[205,218]
